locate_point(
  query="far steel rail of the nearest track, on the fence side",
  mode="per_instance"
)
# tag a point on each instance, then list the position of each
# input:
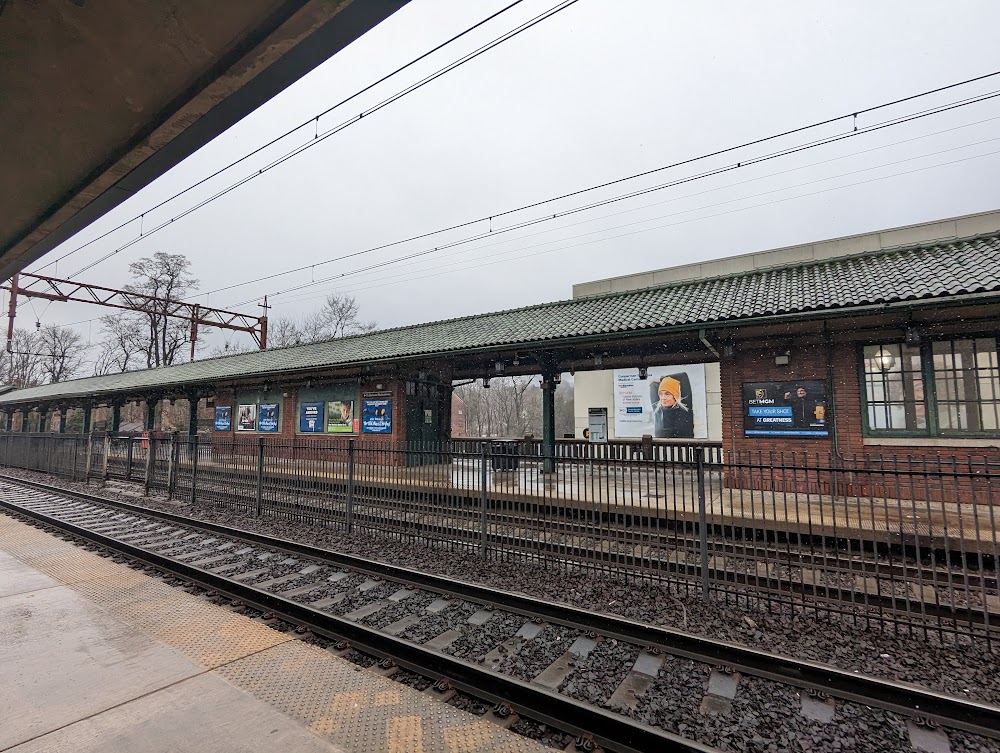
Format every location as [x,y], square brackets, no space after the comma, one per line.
[898,697]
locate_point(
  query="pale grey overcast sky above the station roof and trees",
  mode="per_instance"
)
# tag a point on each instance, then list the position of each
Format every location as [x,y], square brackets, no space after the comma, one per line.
[600,91]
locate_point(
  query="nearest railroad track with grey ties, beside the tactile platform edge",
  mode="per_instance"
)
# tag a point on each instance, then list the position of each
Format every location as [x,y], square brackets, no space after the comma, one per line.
[426,623]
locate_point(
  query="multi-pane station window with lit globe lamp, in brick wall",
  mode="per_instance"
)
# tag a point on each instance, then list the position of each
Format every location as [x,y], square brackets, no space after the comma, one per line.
[941,388]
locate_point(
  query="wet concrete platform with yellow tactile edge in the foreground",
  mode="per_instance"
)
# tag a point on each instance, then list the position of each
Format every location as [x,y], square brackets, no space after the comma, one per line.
[100,657]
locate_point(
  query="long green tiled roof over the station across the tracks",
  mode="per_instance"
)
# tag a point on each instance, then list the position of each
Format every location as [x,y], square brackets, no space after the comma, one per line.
[927,272]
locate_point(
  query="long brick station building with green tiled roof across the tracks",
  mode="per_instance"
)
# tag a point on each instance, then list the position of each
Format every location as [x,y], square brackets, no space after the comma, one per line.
[892,337]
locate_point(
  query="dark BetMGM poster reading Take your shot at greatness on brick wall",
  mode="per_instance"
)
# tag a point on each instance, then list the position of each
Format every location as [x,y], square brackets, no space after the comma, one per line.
[793,409]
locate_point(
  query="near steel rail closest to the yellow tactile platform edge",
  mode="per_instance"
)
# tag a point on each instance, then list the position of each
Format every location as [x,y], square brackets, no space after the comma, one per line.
[612,731]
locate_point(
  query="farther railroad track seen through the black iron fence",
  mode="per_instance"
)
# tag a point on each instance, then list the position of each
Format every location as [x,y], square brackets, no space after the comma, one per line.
[941,596]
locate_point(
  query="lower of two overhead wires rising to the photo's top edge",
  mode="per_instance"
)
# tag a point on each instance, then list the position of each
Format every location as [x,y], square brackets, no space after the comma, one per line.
[318,139]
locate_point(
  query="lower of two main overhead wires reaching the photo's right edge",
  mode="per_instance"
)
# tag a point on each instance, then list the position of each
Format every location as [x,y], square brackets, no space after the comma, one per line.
[632,194]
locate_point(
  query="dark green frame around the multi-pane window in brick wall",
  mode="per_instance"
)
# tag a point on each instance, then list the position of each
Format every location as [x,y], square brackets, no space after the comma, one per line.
[930,402]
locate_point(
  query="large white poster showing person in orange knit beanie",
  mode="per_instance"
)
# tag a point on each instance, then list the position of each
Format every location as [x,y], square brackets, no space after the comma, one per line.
[670,403]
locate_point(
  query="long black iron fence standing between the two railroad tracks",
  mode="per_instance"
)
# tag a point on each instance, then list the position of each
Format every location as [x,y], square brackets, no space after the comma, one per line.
[901,542]
